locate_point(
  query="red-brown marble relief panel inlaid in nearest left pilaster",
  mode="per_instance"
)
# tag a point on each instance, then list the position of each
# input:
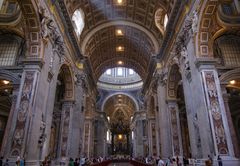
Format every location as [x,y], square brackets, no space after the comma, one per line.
[18,137]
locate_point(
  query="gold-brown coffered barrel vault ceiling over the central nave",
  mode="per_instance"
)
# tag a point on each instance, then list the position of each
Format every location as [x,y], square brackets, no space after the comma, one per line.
[141,38]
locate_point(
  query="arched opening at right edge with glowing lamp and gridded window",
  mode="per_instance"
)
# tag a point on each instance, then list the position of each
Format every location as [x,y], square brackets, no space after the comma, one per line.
[227,50]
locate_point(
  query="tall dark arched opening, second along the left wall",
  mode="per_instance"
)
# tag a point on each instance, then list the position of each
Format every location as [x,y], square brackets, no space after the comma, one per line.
[64,93]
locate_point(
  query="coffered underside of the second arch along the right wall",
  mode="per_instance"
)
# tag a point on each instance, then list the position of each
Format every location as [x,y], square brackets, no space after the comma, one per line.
[174,78]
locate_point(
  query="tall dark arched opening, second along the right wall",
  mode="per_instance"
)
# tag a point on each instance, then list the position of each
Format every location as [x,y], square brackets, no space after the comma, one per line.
[176,93]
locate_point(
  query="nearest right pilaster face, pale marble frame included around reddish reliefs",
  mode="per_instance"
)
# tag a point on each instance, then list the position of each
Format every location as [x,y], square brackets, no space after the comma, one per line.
[217,114]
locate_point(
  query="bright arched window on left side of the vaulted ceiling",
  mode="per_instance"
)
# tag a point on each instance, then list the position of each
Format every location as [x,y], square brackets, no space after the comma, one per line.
[78,21]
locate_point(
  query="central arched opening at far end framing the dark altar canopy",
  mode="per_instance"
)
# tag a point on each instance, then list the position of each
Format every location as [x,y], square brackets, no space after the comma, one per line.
[119,110]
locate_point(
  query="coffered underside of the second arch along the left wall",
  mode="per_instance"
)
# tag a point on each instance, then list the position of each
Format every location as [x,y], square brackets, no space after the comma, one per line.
[67,75]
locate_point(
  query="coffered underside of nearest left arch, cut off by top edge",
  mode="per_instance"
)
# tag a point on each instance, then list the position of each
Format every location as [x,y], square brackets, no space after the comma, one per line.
[32,26]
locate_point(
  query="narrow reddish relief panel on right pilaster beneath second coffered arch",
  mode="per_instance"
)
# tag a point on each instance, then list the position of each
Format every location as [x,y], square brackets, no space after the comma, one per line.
[175,138]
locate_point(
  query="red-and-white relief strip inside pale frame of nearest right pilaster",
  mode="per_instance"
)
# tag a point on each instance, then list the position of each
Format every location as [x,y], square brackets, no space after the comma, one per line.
[214,107]
